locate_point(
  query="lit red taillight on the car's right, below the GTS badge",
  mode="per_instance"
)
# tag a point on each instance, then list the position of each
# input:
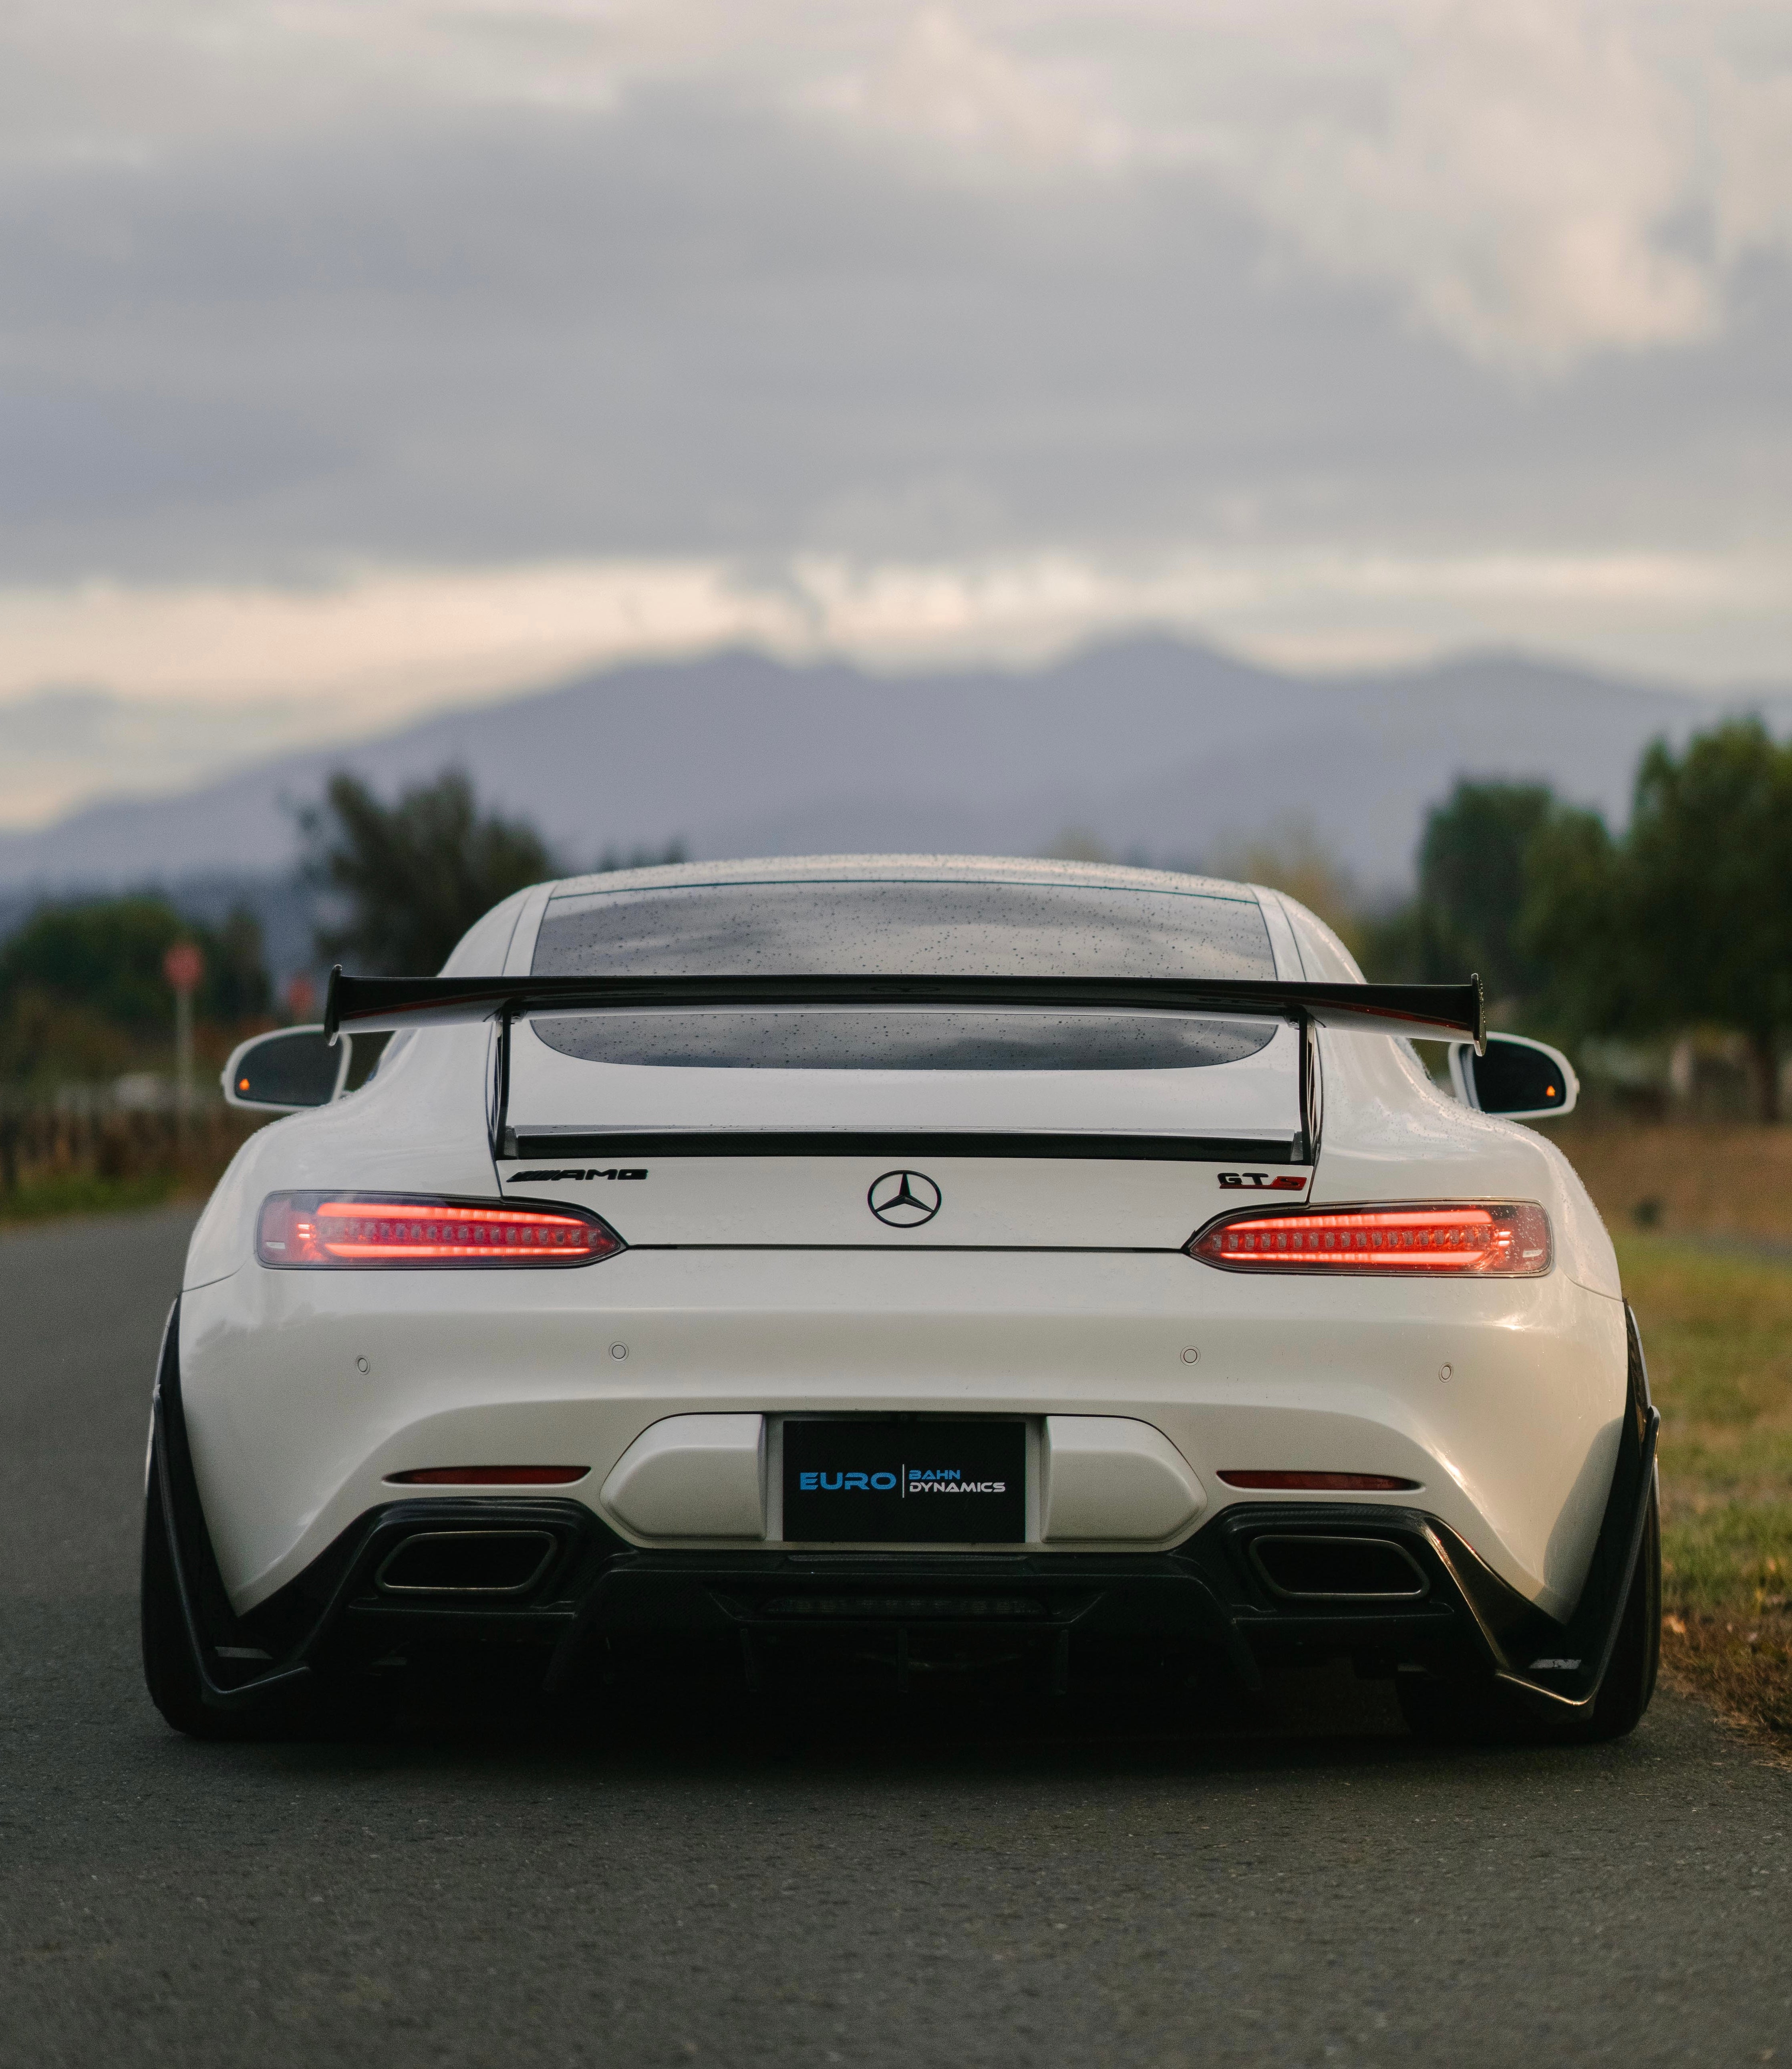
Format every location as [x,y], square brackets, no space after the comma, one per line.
[1507,1242]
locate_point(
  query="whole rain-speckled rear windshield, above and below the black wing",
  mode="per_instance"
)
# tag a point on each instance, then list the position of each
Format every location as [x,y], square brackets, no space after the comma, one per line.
[949,928]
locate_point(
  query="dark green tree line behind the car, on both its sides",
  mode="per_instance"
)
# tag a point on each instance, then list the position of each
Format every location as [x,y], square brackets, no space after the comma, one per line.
[1679,922]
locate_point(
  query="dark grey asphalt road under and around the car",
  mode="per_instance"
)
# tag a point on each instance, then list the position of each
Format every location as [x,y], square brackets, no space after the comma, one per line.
[738,1892]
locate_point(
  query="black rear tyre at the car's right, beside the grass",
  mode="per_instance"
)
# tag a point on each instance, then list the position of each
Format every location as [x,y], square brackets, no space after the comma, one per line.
[1491,1714]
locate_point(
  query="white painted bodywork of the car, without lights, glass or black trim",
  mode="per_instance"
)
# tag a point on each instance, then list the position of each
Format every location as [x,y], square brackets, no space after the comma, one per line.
[1044,1288]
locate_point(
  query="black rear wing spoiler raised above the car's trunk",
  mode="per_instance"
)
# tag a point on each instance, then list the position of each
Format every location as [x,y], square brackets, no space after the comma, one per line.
[1443,1013]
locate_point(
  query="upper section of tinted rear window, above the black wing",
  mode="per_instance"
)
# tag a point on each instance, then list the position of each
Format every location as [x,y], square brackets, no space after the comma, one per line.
[907,928]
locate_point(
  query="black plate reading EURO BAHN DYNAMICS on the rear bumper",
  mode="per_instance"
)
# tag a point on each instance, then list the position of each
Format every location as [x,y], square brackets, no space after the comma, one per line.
[876,1480]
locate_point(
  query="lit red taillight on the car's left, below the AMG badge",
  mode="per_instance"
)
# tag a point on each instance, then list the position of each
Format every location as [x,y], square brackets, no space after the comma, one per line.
[374,1230]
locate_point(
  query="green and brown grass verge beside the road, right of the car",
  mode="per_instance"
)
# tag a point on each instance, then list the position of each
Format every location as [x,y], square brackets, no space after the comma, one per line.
[1719,1336]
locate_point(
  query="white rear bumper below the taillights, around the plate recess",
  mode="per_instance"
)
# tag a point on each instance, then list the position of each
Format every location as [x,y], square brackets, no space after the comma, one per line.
[305,1391]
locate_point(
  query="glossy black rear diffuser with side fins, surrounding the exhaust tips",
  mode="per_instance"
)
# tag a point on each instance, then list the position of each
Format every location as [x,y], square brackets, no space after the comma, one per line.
[1247,1592]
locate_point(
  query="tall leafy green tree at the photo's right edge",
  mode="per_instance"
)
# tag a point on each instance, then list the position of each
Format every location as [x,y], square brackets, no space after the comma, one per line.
[1690,918]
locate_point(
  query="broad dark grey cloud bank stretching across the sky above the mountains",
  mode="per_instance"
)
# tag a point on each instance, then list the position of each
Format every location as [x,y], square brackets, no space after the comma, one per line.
[504,334]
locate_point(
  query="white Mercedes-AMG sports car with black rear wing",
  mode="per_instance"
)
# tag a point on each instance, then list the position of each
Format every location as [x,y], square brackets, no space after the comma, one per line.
[903,1271]
